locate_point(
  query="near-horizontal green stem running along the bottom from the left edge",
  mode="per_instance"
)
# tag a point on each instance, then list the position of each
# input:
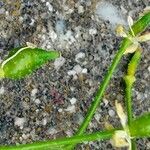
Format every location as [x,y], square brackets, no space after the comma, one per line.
[58,143]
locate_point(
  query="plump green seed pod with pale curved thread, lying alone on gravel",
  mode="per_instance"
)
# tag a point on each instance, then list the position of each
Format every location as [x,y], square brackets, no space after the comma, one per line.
[23,61]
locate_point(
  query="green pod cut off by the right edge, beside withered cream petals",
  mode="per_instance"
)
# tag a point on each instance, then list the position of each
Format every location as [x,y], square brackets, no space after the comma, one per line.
[140,127]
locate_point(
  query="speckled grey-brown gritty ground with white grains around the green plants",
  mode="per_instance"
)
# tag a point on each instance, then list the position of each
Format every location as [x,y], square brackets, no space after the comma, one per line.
[53,101]
